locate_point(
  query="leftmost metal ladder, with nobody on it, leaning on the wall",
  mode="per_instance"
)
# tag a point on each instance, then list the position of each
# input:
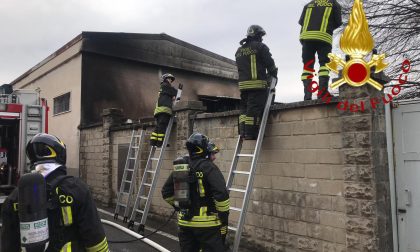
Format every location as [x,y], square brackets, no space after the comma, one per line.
[129,174]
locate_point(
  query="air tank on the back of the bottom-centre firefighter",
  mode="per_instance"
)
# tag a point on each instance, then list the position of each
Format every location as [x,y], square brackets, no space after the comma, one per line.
[182,179]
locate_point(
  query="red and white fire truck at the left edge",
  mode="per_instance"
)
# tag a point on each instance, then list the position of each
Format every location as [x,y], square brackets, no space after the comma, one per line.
[23,114]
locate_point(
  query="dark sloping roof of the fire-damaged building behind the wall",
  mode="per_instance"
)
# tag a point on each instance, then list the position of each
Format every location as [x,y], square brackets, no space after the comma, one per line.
[158,49]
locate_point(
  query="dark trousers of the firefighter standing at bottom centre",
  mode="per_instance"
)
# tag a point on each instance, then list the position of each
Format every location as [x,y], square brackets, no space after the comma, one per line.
[208,239]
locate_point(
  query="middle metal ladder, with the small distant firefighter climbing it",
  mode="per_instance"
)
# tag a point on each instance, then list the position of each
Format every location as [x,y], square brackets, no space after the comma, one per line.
[150,177]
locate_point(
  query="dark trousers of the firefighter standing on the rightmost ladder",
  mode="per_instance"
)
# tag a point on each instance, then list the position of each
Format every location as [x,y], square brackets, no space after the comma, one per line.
[252,107]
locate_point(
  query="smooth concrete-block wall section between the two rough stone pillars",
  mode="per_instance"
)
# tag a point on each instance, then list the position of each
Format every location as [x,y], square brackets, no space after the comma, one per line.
[297,202]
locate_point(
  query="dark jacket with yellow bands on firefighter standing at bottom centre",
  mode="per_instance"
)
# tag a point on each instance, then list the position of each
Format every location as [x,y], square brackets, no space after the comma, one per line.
[209,196]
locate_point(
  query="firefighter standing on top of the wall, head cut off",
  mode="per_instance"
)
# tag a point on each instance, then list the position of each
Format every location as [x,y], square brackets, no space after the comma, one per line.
[318,20]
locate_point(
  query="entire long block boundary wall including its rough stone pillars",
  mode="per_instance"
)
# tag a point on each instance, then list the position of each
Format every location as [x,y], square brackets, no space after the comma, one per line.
[302,196]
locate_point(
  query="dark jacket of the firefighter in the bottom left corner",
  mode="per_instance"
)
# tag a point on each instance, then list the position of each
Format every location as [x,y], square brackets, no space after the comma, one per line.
[73,221]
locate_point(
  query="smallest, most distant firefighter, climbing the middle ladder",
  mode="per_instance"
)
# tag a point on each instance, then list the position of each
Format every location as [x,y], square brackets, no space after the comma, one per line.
[163,110]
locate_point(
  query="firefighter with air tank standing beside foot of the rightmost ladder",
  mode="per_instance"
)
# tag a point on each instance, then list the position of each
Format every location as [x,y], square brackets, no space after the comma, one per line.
[203,211]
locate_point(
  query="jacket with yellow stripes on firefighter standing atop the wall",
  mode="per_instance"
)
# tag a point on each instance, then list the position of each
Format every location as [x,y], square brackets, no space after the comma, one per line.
[319,19]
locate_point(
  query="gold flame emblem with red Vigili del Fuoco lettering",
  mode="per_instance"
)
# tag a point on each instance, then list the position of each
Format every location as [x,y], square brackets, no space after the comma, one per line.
[357,42]
